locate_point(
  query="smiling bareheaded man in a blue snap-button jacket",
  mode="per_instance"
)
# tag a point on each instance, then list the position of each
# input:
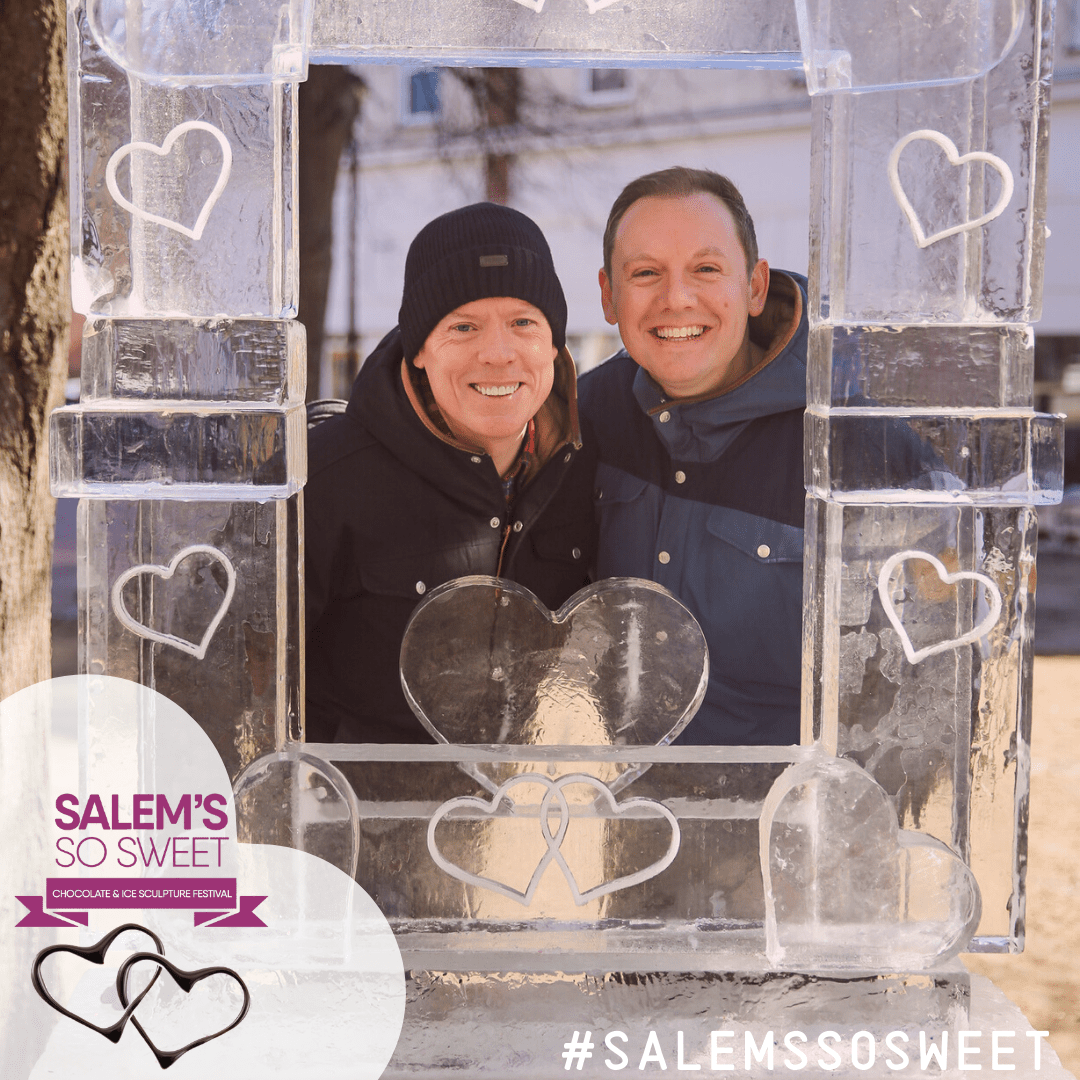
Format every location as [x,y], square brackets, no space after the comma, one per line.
[699,427]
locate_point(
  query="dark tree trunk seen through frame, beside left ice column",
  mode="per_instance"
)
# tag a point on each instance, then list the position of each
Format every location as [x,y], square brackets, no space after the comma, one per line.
[330,104]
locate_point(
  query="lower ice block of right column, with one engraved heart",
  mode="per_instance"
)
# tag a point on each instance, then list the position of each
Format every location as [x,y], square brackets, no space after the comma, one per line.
[917,666]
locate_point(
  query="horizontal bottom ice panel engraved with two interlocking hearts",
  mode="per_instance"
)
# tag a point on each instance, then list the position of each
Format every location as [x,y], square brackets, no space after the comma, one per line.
[705,901]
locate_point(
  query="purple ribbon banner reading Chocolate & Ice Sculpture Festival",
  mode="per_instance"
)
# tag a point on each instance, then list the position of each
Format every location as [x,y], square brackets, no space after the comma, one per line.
[72,899]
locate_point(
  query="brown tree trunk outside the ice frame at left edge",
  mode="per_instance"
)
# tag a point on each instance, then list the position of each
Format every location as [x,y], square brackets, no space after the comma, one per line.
[35,309]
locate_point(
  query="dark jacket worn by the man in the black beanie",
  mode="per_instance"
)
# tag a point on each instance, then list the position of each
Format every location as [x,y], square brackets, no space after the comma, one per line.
[394,509]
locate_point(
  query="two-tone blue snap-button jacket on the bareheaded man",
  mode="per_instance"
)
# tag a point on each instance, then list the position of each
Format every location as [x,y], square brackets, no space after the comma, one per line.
[707,498]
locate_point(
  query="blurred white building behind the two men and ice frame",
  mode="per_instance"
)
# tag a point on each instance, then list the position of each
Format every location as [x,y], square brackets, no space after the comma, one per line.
[582,137]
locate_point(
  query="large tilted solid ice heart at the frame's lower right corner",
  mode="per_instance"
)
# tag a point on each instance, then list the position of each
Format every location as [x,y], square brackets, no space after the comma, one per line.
[845,887]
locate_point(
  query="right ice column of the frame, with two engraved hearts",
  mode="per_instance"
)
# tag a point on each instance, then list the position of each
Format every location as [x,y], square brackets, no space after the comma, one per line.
[925,457]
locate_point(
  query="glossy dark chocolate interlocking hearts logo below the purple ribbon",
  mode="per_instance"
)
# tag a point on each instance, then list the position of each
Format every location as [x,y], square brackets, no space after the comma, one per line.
[186,980]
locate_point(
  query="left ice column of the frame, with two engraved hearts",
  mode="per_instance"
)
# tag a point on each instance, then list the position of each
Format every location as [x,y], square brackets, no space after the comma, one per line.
[188,448]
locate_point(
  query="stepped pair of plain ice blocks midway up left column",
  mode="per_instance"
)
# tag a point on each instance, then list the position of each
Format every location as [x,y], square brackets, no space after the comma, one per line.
[179,409]
